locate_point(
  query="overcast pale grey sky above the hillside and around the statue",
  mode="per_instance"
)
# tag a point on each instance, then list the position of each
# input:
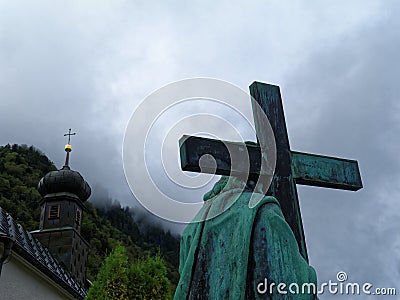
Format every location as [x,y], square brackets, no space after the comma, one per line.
[88,64]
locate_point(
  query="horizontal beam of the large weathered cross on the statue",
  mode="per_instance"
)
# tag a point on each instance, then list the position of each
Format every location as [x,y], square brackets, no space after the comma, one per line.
[307,169]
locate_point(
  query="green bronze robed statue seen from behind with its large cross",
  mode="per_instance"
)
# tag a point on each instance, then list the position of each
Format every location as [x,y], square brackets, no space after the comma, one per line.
[228,256]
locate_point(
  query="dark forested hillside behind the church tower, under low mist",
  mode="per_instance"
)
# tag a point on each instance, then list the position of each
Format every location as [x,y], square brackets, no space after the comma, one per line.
[21,168]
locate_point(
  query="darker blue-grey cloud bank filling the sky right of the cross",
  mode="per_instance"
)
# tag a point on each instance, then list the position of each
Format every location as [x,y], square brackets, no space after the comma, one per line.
[348,96]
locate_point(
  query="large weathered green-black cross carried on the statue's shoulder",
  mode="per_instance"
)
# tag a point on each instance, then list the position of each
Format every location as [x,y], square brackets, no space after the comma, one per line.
[291,167]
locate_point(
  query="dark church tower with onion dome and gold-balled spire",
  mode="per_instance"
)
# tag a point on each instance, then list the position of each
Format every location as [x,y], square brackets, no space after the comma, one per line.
[63,195]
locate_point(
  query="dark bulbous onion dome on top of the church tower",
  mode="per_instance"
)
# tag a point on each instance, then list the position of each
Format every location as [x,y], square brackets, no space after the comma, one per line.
[64,181]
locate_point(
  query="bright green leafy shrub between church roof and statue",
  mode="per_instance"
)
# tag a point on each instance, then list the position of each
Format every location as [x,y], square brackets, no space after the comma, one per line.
[144,279]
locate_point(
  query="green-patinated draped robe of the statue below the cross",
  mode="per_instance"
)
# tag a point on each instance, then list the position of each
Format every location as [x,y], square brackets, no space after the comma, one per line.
[230,255]
